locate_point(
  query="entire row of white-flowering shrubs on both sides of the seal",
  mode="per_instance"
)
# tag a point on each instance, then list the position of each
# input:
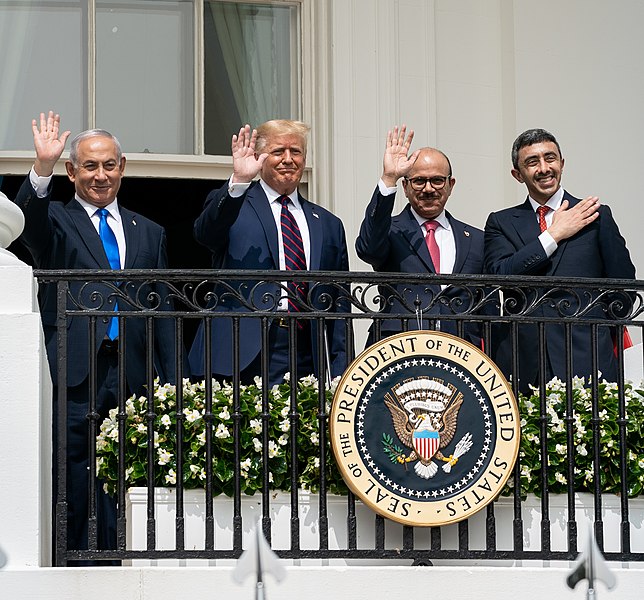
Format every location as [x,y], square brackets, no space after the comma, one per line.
[308,439]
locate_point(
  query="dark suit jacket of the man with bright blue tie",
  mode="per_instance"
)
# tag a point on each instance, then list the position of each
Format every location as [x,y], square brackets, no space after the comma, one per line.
[62,236]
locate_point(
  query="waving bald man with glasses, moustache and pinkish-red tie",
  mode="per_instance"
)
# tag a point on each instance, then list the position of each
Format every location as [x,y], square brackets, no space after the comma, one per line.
[418,238]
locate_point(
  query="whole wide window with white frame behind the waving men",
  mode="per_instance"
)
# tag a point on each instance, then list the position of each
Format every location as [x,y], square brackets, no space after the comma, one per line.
[165,76]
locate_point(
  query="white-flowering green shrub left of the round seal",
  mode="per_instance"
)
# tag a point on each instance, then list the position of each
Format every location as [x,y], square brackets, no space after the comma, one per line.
[223,444]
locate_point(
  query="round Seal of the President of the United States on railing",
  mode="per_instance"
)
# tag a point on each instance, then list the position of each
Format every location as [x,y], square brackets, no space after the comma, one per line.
[425,428]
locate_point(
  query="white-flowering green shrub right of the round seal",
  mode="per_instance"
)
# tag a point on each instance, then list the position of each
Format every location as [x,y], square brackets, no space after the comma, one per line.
[582,431]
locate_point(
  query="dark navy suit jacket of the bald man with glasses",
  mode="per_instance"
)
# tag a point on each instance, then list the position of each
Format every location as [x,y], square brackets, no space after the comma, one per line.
[397,245]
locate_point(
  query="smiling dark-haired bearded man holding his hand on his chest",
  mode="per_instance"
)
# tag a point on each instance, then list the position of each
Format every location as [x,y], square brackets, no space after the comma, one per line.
[555,234]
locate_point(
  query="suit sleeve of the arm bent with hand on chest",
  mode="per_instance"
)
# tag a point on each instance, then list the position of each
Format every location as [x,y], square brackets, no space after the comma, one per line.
[505,253]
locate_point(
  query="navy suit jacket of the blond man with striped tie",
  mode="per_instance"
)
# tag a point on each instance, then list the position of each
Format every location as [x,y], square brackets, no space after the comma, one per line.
[241,234]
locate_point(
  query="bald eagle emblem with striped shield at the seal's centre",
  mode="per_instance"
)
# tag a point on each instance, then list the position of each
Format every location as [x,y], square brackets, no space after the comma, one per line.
[424,412]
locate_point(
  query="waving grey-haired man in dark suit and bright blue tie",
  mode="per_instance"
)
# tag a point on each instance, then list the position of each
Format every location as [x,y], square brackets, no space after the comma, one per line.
[69,236]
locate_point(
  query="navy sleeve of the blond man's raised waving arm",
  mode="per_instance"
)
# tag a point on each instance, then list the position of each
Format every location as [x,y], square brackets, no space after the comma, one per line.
[212,227]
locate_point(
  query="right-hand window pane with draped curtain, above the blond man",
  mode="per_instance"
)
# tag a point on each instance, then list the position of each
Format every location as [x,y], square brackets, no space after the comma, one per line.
[251,65]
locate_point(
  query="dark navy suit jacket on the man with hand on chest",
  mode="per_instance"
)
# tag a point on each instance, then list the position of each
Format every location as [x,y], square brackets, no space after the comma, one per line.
[598,250]
